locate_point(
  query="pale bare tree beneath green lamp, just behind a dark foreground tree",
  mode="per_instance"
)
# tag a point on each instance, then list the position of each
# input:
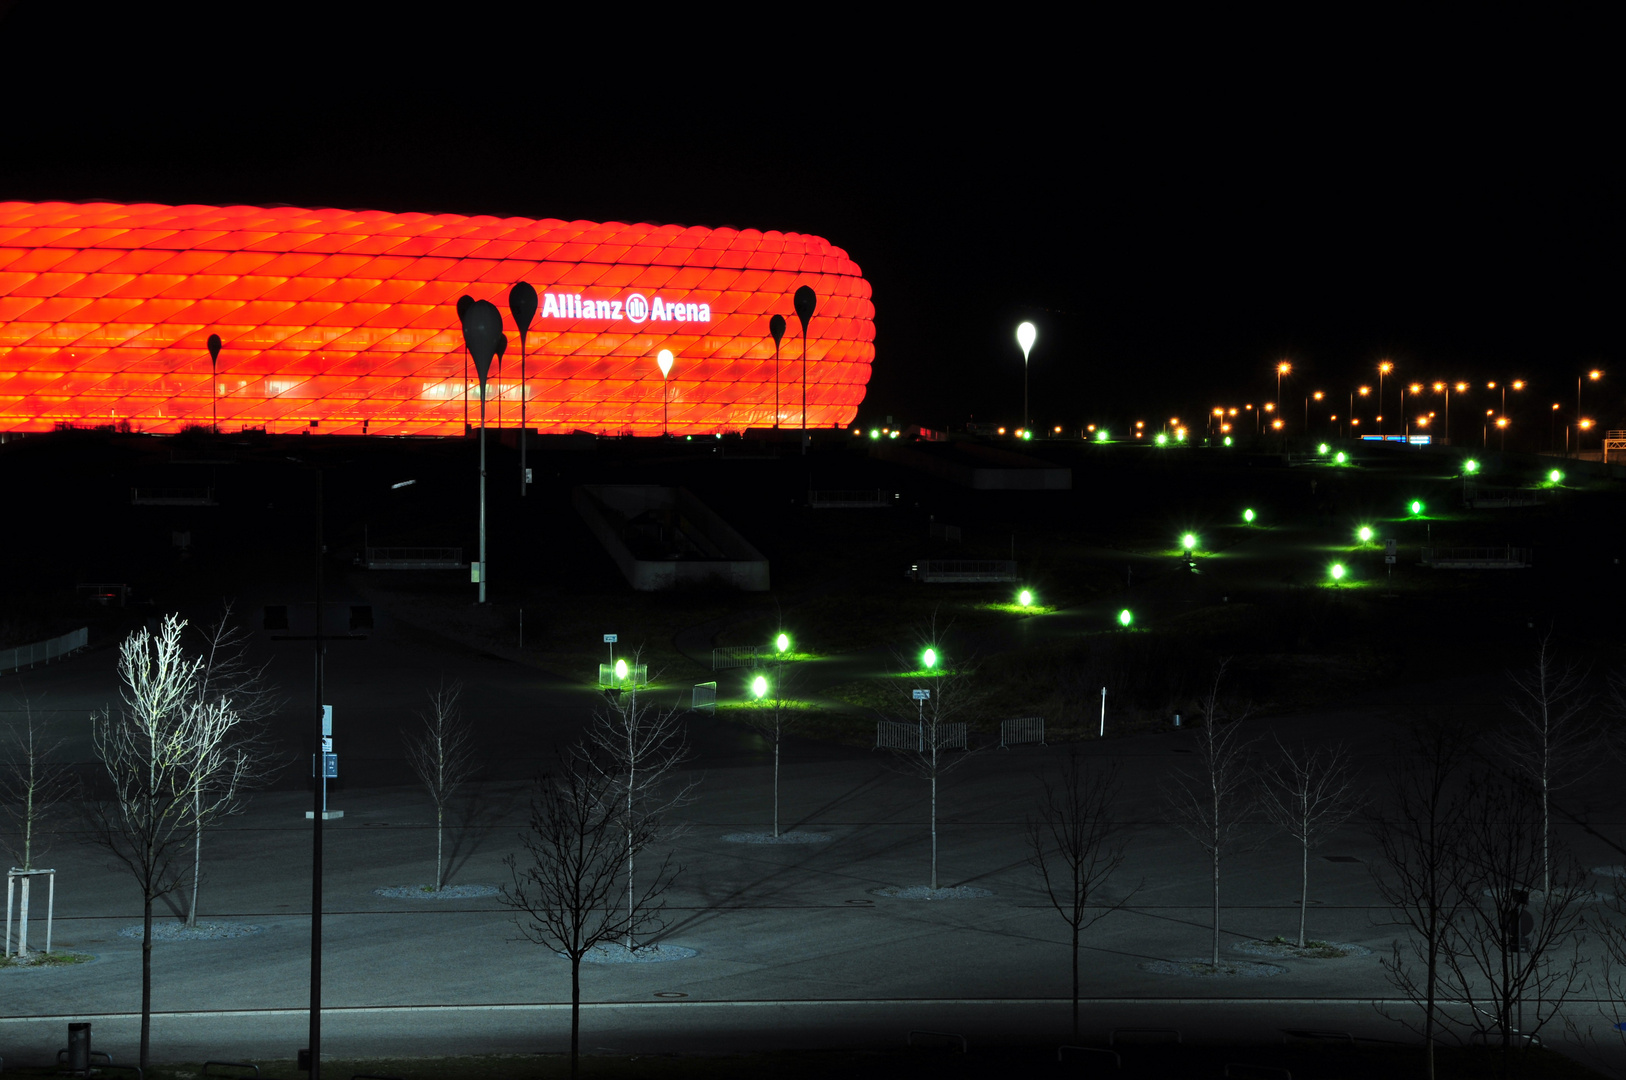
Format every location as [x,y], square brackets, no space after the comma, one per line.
[638,747]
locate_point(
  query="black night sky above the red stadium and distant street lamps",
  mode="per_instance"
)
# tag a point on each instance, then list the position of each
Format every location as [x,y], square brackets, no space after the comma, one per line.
[1176,204]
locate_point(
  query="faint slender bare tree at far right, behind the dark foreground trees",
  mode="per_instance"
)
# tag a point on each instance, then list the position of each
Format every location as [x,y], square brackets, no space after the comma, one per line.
[1555,741]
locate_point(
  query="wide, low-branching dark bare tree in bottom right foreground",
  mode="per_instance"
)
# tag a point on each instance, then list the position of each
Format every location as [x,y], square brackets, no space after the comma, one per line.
[1516,954]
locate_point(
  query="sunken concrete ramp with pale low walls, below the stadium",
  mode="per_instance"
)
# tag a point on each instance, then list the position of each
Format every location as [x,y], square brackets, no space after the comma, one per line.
[666,538]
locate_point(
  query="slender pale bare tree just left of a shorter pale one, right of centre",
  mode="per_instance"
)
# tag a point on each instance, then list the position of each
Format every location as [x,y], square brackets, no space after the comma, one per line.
[1214,801]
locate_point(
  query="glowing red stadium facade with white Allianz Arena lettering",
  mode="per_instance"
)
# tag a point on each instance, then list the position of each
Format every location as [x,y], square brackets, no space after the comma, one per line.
[347,323]
